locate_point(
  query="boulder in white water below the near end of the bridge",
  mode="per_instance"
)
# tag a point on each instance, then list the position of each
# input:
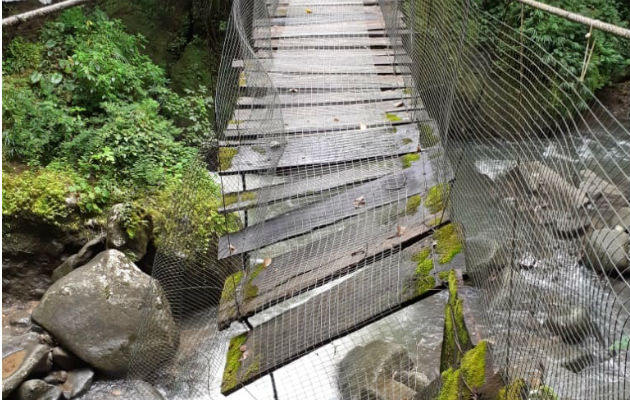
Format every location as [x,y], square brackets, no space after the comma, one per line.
[369,372]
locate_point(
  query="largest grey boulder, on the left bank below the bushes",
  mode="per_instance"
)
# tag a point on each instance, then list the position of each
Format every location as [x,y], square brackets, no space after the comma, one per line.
[95,312]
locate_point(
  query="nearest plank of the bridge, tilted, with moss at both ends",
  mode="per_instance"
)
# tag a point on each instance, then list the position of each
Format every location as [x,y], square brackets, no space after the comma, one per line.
[371,293]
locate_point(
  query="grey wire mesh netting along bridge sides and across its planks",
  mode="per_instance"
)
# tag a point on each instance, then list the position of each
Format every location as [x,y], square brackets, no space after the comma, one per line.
[365,148]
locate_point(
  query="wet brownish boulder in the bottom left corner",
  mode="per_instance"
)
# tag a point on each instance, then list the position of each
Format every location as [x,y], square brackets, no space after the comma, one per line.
[23,356]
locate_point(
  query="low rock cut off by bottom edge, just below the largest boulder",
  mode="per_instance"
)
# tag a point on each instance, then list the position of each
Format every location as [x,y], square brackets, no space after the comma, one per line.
[121,390]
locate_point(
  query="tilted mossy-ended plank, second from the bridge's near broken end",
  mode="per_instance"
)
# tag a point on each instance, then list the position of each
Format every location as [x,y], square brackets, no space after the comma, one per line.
[323,259]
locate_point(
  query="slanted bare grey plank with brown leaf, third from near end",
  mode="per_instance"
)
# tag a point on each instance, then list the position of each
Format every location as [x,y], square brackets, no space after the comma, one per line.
[392,188]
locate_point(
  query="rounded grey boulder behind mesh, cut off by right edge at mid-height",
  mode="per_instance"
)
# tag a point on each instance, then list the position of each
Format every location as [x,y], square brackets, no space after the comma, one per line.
[607,250]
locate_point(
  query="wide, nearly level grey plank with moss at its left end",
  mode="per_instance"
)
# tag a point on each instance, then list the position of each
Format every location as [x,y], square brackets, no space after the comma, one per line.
[330,147]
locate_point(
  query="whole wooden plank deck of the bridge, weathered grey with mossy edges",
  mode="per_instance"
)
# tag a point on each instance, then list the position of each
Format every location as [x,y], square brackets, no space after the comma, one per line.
[333,184]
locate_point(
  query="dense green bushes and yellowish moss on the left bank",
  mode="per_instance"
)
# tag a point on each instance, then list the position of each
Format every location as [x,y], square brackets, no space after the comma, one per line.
[89,120]
